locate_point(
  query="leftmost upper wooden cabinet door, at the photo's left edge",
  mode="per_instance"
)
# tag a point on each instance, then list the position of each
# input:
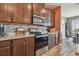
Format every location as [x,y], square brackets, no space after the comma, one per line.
[5,12]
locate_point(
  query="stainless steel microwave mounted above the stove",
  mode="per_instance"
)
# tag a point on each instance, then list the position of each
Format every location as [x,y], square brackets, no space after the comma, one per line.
[38,20]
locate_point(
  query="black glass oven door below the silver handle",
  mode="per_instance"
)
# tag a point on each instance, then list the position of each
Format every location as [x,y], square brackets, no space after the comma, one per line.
[41,42]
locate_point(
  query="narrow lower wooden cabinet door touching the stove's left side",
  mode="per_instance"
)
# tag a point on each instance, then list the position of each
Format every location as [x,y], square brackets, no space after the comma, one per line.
[31,46]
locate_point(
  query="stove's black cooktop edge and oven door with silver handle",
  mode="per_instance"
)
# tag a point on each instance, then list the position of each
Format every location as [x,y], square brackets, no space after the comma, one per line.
[41,40]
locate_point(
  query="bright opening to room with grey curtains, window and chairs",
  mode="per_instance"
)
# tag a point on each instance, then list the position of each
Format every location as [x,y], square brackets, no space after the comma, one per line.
[71,41]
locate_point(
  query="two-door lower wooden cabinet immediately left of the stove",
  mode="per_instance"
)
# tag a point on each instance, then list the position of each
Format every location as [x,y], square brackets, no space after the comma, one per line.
[23,47]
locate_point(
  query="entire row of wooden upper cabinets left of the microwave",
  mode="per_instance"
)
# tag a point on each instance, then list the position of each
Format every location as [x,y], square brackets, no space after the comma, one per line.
[16,13]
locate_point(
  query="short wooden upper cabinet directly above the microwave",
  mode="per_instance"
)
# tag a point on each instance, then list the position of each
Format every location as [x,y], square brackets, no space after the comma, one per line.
[40,10]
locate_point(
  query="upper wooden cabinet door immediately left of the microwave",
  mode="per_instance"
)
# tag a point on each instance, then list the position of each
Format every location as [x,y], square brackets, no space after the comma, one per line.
[27,13]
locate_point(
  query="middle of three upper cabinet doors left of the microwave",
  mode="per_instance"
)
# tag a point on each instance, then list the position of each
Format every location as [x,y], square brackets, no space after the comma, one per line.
[17,16]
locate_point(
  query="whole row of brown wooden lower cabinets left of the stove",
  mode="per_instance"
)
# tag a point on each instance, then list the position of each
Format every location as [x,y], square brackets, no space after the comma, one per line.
[18,47]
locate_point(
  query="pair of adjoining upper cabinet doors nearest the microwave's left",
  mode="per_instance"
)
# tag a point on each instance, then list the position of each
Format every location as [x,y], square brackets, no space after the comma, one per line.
[22,13]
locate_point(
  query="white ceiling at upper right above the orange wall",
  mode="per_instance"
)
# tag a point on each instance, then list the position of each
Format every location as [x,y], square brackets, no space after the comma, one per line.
[67,9]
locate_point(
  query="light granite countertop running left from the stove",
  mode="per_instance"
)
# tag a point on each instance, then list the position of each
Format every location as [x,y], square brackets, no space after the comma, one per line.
[11,37]
